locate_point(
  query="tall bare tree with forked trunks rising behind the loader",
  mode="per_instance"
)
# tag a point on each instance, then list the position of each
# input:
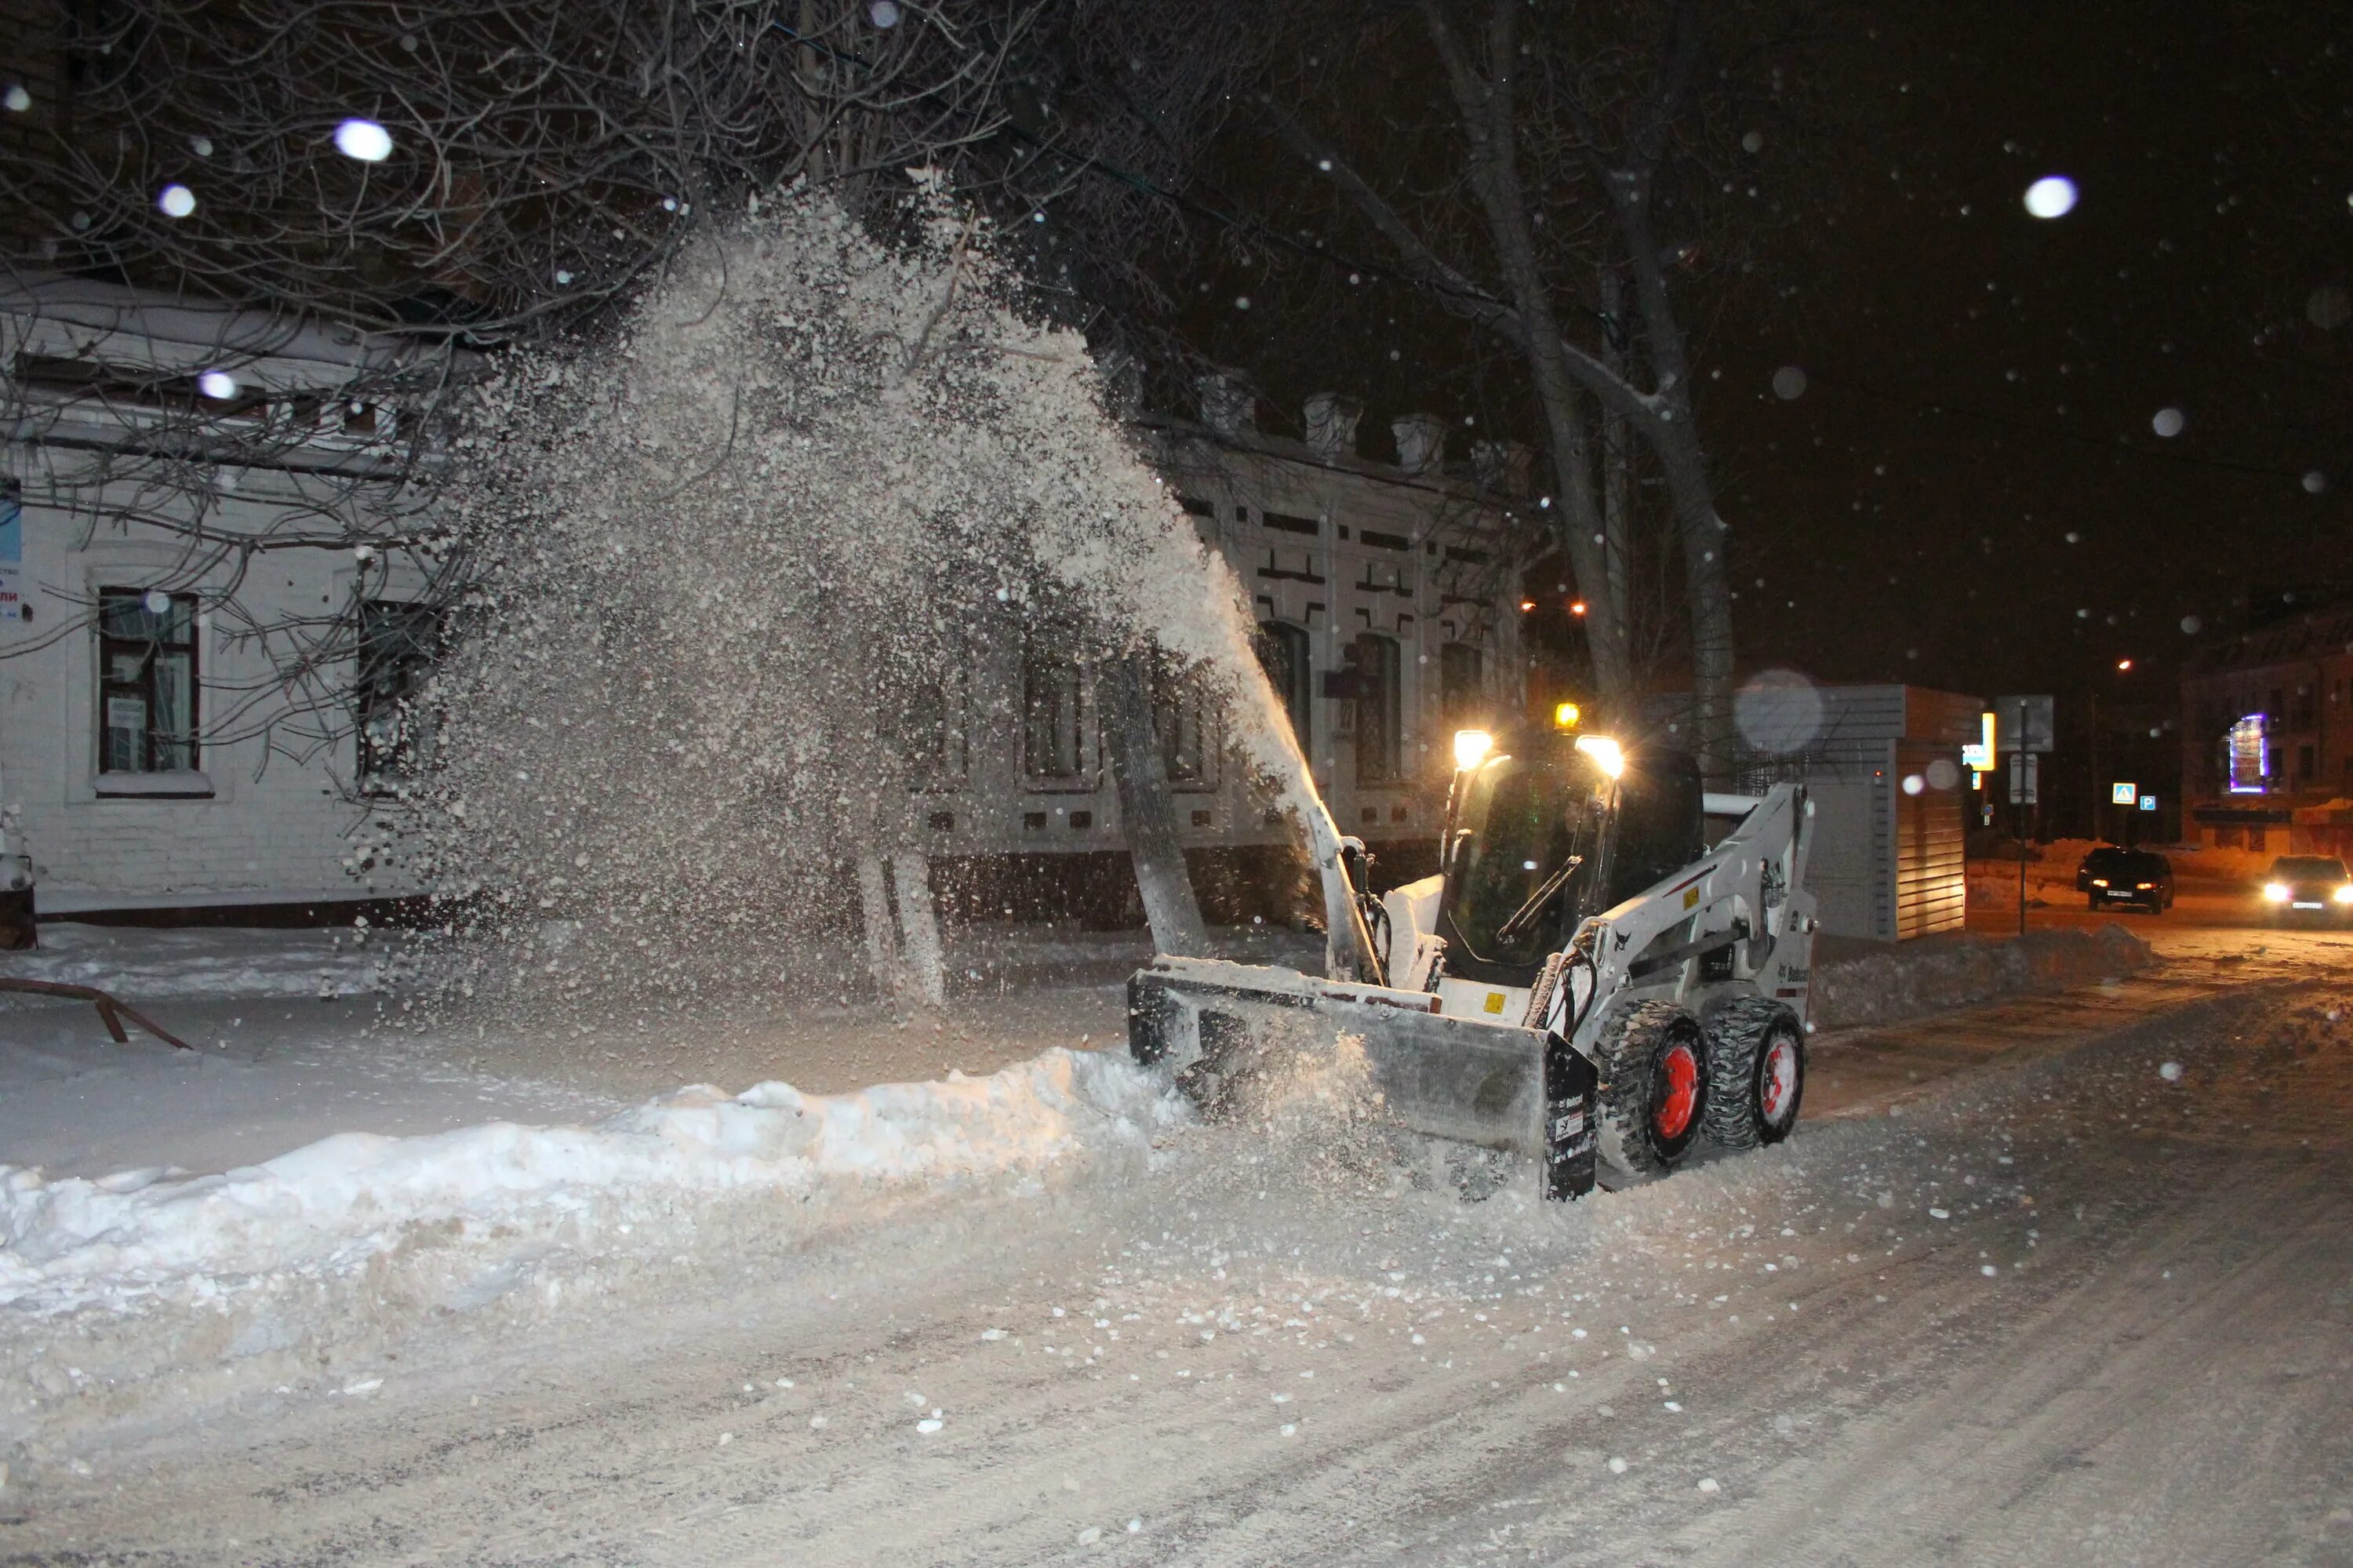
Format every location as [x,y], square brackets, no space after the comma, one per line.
[1554,121]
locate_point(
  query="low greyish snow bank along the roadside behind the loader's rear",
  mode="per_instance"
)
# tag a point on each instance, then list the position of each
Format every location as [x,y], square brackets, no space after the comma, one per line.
[1945,974]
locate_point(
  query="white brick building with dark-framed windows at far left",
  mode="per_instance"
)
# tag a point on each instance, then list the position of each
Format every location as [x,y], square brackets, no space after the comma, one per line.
[189,486]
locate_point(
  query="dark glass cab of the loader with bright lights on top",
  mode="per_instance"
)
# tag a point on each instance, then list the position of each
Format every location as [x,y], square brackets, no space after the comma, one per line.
[1545,835]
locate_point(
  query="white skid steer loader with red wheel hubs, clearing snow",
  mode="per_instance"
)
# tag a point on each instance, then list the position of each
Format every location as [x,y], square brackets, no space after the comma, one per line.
[1587,981]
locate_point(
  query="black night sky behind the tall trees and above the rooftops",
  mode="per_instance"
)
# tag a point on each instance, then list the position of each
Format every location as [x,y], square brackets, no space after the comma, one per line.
[1971,491]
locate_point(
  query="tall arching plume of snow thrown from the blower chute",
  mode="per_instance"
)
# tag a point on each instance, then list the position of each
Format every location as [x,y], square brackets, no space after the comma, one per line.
[728,576]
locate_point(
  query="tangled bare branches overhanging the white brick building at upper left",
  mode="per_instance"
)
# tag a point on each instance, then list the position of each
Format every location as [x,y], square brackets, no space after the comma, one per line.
[276,239]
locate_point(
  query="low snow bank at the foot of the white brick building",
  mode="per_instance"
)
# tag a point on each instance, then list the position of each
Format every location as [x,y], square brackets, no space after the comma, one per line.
[142,964]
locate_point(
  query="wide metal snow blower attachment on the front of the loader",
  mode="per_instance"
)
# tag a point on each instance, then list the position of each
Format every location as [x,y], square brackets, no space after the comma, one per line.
[1215,1025]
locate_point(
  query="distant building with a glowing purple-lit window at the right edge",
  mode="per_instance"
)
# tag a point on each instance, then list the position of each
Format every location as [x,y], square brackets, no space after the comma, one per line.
[2267,736]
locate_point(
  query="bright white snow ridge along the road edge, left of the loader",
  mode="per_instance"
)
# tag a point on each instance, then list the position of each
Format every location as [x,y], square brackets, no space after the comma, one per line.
[352,1200]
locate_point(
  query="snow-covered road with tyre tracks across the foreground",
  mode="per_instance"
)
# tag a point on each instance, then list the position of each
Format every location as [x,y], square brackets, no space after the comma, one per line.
[2088,1305]
